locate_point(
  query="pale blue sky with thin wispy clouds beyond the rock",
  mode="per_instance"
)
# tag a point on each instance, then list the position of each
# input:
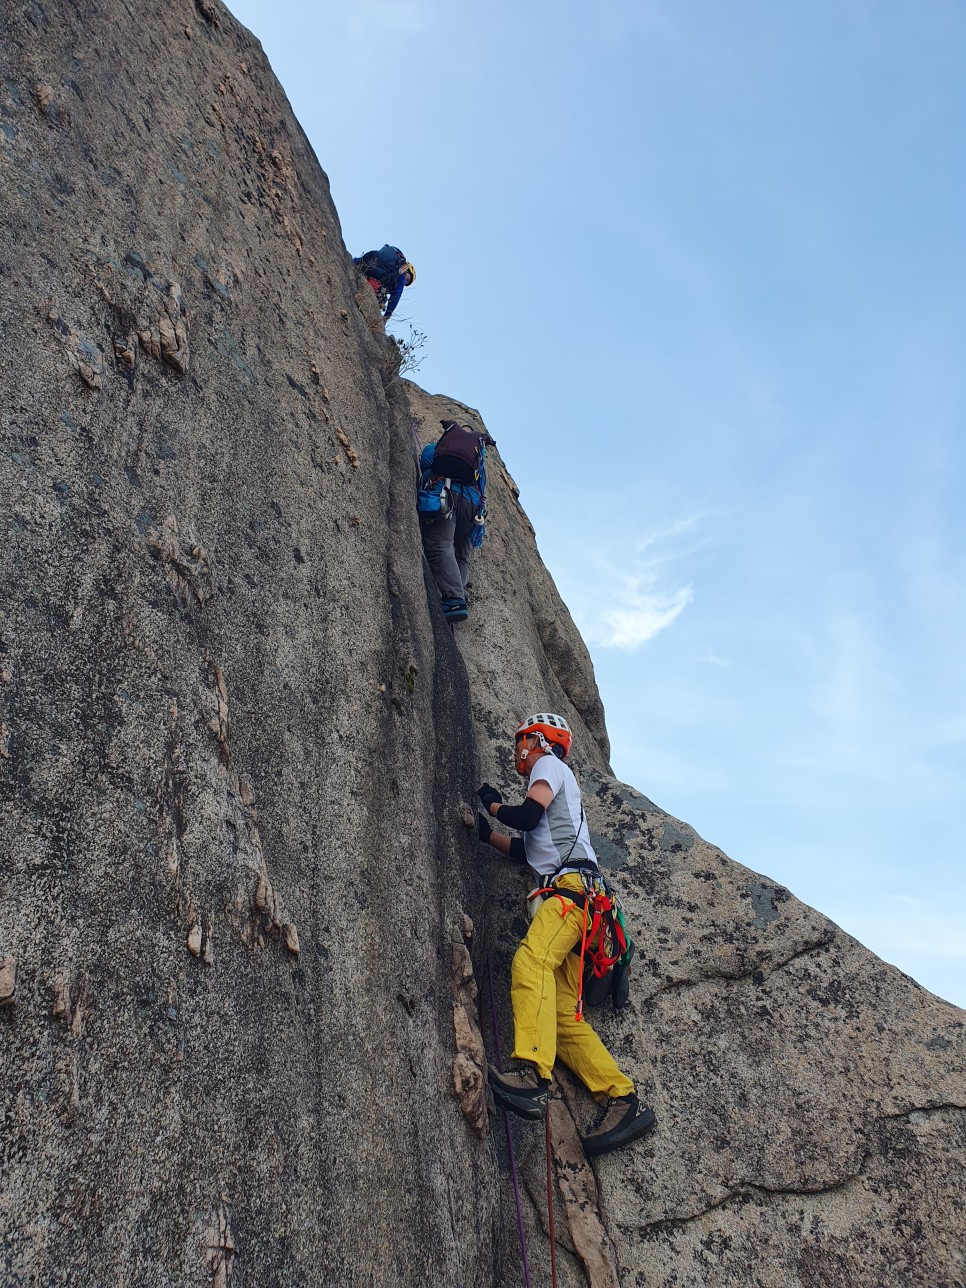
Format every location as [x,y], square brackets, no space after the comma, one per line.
[701,269]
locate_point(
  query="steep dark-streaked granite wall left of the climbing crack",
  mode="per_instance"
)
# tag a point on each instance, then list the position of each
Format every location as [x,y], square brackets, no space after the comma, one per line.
[229,1054]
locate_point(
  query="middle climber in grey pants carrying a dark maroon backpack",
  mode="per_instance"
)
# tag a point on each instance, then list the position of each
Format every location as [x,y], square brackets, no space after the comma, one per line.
[453,509]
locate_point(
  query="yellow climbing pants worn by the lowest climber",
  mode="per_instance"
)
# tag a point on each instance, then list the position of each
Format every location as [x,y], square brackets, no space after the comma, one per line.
[544,983]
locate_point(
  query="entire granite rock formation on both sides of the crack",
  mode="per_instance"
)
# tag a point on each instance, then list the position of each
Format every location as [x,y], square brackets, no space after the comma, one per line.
[241,901]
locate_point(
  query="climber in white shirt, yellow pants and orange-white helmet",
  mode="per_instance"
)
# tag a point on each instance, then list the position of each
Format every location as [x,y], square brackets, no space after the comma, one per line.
[547,973]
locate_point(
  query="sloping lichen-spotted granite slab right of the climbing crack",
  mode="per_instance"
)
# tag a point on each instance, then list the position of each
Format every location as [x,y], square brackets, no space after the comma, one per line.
[811,1099]
